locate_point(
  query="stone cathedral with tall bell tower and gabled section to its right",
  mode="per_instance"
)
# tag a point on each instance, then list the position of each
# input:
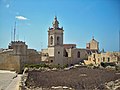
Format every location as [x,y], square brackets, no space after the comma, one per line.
[59,53]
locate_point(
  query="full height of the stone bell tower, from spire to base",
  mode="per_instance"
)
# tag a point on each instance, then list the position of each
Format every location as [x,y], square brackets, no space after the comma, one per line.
[55,43]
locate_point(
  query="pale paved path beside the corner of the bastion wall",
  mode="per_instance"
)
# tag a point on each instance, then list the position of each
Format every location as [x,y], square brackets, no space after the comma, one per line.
[9,81]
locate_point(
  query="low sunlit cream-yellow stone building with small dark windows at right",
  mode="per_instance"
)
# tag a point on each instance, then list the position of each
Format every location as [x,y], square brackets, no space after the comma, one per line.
[97,58]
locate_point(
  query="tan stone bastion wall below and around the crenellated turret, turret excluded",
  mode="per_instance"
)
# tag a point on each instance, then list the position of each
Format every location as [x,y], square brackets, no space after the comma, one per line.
[16,62]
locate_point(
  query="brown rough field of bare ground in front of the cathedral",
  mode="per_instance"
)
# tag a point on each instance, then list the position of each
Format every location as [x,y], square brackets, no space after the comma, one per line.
[77,78]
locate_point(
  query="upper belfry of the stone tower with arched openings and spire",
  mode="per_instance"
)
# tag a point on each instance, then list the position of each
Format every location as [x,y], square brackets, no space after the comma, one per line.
[55,34]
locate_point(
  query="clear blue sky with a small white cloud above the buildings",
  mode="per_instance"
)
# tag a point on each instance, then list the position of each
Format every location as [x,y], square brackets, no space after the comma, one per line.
[81,19]
